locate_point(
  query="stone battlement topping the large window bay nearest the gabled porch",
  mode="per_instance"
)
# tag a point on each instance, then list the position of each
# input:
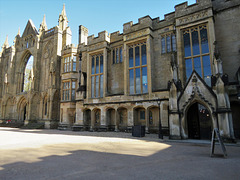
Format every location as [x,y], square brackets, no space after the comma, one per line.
[184,9]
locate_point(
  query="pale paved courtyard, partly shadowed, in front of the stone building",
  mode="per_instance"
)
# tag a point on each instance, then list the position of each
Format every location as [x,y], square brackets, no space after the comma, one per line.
[55,155]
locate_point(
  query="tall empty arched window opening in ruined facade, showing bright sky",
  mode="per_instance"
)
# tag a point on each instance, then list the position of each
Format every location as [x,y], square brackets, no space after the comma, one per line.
[28,73]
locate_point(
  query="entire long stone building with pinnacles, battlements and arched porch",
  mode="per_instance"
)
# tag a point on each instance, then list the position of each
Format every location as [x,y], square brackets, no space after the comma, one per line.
[182,72]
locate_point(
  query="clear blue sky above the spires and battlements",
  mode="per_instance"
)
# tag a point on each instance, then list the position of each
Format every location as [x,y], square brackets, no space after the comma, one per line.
[96,15]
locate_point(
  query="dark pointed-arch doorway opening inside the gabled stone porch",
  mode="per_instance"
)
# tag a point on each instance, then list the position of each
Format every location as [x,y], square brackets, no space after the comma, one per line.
[199,122]
